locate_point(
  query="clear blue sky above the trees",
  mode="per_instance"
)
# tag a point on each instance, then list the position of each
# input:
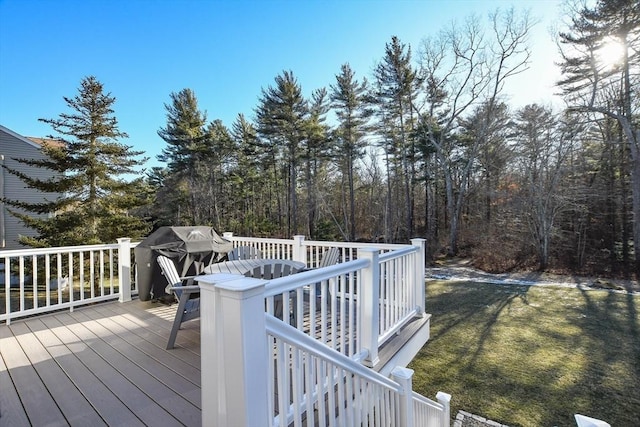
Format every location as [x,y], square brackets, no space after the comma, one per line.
[226,51]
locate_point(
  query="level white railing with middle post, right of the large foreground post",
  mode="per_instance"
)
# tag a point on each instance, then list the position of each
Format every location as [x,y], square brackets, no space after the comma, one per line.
[356,305]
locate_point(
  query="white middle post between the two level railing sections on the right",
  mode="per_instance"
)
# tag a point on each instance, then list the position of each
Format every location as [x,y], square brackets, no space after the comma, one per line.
[369,303]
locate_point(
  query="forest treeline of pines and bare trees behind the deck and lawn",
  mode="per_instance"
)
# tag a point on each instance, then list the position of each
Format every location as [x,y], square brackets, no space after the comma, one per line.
[427,145]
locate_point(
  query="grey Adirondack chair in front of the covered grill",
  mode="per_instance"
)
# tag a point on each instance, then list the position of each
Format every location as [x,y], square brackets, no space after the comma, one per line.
[188,296]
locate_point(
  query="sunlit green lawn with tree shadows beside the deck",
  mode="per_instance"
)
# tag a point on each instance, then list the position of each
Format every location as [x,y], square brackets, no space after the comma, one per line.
[532,356]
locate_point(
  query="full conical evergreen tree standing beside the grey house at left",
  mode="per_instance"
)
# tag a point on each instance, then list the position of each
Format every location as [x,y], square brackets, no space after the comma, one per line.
[91,200]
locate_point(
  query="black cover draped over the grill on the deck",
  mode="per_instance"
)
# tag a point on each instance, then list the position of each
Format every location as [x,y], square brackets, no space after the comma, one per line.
[190,248]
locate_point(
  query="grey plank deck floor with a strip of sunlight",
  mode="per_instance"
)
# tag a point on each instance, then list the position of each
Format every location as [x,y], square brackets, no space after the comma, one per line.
[104,364]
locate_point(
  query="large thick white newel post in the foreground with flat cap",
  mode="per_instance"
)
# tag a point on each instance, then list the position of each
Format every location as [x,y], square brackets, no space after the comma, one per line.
[233,349]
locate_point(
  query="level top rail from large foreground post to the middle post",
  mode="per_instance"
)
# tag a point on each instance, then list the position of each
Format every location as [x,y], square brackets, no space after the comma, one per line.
[293,281]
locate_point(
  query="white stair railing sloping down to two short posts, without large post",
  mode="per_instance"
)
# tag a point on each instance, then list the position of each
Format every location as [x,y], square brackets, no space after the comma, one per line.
[418,410]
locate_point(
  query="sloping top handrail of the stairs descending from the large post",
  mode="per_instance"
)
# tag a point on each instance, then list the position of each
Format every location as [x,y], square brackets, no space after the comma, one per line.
[279,329]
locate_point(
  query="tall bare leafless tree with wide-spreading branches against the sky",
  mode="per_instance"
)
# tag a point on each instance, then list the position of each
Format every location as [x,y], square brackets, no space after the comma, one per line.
[470,66]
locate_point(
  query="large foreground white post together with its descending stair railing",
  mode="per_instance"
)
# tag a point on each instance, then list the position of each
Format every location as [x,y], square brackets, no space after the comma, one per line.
[252,355]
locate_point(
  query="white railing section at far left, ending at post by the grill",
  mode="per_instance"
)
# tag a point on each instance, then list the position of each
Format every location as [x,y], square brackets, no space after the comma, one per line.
[36,281]
